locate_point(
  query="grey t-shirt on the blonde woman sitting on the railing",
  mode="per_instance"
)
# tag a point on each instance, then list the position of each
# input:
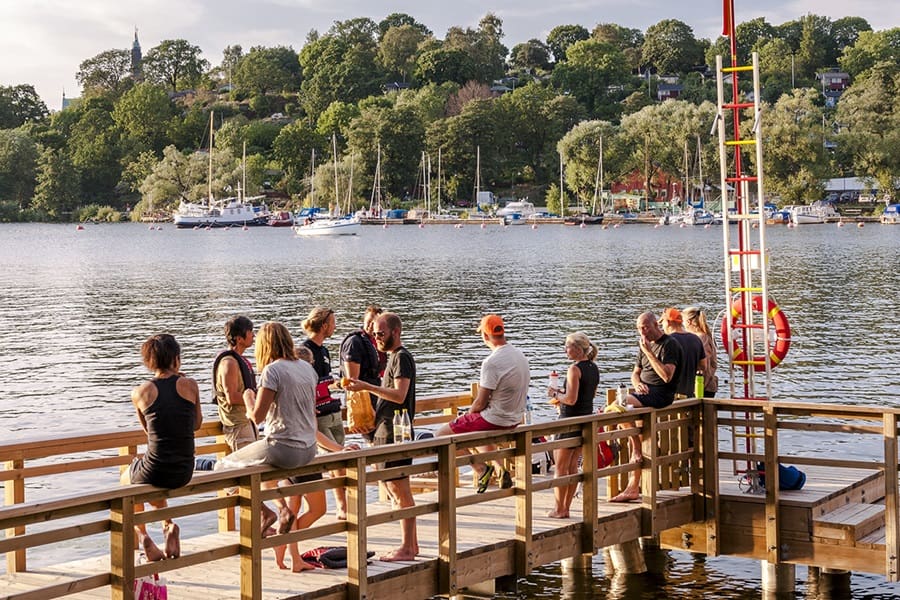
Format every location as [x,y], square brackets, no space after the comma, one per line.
[292,417]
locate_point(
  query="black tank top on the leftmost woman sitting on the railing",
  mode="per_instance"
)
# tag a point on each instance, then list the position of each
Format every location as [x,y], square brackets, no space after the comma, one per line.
[169,461]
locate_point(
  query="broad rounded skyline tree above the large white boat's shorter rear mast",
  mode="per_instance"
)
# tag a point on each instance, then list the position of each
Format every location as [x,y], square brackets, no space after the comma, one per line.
[266,70]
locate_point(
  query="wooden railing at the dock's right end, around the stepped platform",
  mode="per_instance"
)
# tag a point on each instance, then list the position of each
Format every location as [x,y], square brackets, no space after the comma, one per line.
[770,423]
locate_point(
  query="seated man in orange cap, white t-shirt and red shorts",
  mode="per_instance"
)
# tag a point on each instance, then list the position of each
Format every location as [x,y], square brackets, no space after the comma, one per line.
[500,403]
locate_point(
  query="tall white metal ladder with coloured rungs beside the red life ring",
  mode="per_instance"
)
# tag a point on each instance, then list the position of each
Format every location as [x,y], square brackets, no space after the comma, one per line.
[746,280]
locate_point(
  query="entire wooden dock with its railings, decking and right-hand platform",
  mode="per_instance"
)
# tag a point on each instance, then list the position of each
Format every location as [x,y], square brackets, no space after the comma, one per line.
[844,518]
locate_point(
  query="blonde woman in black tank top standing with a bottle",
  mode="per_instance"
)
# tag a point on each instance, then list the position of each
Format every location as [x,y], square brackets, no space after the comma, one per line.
[575,400]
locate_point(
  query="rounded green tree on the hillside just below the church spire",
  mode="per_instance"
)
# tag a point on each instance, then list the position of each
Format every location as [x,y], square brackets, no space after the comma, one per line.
[143,114]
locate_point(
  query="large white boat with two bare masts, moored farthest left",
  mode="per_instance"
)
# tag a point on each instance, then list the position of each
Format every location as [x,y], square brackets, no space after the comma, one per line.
[227,212]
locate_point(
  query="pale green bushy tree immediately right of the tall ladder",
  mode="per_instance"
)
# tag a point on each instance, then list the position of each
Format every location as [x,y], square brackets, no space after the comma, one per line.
[794,162]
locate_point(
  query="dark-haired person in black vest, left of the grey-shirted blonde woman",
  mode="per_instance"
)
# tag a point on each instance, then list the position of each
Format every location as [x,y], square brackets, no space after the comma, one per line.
[232,375]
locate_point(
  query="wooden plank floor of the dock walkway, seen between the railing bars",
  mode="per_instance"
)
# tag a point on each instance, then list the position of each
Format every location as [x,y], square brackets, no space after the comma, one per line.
[485,544]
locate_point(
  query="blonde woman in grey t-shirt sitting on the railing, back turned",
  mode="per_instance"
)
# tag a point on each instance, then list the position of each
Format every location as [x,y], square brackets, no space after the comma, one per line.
[286,401]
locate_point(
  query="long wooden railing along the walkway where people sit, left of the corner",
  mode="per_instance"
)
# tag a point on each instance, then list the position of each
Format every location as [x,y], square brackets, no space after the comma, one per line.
[111,511]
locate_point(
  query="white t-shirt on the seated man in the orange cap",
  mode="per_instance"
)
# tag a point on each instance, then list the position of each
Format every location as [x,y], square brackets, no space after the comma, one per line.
[505,371]
